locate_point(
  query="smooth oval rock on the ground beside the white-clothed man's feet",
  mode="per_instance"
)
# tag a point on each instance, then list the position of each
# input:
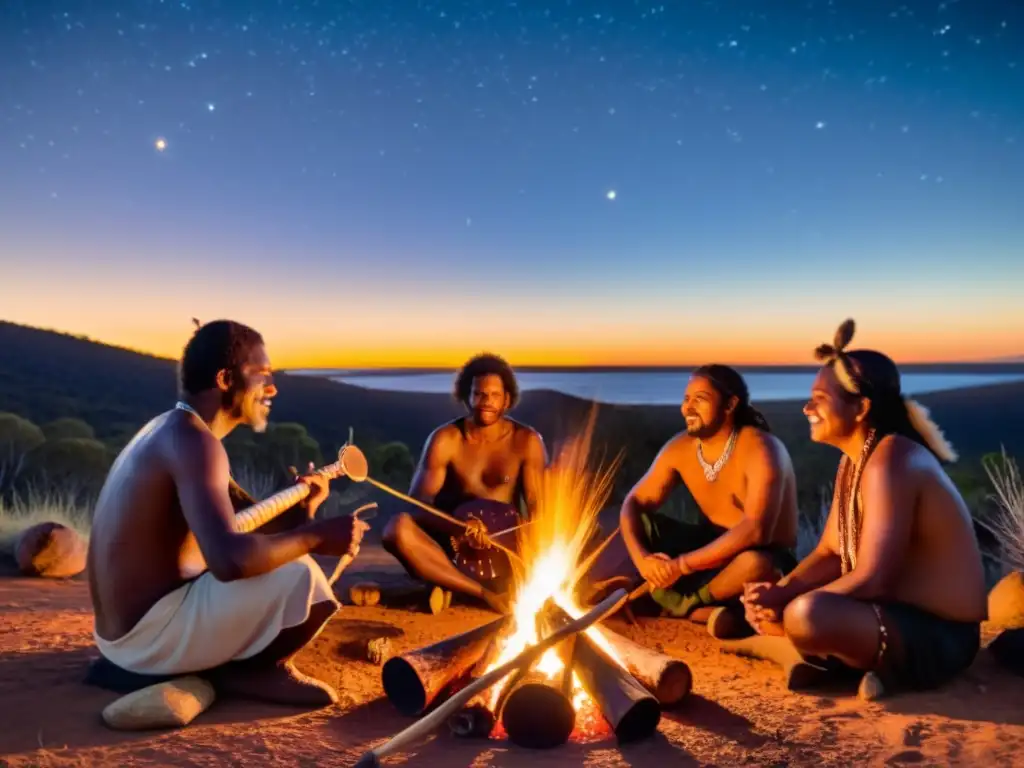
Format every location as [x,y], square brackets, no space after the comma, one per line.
[170,705]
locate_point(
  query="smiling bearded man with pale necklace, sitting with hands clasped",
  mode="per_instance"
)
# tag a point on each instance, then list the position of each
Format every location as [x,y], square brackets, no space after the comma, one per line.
[743,481]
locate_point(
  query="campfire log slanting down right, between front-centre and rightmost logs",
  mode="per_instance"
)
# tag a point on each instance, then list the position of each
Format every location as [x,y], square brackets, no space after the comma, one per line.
[630,709]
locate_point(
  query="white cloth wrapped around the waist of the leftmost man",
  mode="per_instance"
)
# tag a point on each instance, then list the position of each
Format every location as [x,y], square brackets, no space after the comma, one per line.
[208,623]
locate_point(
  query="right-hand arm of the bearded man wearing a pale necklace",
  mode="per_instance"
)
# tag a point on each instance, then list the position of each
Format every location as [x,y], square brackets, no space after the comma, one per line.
[761,508]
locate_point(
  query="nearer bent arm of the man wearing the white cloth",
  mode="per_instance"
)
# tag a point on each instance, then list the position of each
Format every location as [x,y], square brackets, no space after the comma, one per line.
[201,472]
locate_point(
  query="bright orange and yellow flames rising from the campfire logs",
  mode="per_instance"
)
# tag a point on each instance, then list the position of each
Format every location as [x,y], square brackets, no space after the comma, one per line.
[571,498]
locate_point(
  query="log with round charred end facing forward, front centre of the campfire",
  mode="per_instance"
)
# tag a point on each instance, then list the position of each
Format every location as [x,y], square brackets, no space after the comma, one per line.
[537,709]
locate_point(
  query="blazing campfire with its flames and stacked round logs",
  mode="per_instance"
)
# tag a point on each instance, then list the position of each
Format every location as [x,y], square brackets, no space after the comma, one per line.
[589,687]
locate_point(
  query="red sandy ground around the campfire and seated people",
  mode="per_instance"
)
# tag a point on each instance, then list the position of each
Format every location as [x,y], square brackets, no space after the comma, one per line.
[739,714]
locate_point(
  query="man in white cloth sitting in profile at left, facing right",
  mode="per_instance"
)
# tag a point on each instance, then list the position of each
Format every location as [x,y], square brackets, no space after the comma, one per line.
[164,517]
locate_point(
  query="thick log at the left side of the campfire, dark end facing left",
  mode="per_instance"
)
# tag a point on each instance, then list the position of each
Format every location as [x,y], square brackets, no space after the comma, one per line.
[413,680]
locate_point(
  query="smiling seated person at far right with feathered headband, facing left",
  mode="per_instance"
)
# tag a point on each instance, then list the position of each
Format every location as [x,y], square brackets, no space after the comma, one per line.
[895,587]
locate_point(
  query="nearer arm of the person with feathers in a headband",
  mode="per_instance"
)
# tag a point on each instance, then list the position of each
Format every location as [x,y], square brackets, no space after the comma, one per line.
[889,496]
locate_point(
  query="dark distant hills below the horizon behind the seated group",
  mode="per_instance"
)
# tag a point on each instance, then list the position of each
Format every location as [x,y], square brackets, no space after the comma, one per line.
[46,375]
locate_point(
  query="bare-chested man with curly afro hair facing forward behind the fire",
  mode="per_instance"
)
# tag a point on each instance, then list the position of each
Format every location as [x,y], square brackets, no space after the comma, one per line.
[487,456]
